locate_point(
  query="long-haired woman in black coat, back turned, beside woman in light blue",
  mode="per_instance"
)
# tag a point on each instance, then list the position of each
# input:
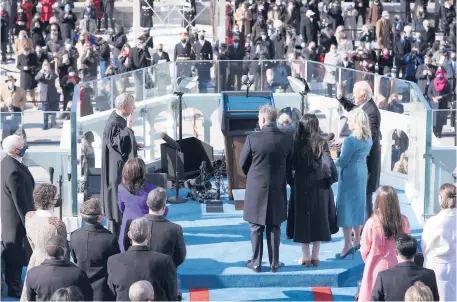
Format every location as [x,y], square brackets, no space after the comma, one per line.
[311,213]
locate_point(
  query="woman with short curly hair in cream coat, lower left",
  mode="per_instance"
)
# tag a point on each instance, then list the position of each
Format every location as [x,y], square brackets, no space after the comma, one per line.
[41,226]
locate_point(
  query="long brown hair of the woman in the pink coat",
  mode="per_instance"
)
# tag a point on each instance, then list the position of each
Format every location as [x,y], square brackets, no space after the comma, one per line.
[388,211]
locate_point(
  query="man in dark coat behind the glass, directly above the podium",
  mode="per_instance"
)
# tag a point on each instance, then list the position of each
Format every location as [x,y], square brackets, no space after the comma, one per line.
[235,53]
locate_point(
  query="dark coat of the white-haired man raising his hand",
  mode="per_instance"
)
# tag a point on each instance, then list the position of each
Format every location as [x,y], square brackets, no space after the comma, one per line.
[374,158]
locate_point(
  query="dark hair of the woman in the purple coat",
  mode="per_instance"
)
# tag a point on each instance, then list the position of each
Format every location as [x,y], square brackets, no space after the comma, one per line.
[133,175]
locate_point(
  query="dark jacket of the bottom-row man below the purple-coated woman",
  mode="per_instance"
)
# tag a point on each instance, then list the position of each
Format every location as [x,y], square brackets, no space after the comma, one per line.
[139,263]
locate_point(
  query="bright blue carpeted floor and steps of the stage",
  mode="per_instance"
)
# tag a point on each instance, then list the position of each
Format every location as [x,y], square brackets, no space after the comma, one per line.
[218,246]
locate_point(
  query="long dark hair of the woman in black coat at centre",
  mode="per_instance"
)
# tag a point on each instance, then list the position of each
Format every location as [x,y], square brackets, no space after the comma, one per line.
[308,139]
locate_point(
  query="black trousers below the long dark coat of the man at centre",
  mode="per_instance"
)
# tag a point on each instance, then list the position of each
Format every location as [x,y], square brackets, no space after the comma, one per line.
[273,241]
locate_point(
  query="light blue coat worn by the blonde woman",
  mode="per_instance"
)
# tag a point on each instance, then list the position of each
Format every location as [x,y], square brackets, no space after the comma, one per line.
[352,181]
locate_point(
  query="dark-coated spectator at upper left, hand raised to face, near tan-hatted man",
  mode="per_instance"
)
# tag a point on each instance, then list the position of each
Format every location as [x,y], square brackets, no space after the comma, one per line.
[48,96]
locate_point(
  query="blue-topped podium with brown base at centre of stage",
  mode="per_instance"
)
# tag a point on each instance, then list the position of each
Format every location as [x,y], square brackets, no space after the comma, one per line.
[239,118]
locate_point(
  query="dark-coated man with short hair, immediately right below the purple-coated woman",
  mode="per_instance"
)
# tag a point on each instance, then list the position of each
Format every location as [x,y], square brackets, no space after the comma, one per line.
[167,237]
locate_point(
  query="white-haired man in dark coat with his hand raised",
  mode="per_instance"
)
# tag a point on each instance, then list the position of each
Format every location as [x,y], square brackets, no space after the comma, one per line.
[363,98]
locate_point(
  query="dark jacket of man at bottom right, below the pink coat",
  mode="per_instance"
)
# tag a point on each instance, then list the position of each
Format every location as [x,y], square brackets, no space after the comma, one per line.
[391,284]
